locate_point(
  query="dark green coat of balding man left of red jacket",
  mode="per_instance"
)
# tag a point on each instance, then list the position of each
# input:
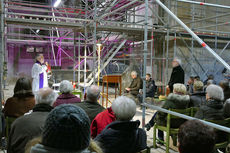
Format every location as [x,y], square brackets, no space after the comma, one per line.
[91,108]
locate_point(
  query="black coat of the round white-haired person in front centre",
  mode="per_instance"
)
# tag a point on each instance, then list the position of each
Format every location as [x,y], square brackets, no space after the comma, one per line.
[122,137]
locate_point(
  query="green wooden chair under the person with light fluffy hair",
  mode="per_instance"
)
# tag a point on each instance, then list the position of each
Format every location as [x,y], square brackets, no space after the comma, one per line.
[169,131]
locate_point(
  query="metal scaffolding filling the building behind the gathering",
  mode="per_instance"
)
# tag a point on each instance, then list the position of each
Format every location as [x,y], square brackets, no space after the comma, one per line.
[149,32]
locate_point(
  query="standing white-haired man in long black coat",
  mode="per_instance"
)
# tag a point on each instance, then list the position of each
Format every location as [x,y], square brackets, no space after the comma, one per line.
[177,75]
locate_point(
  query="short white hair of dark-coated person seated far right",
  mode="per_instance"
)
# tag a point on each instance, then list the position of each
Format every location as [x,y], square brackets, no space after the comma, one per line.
[215,92]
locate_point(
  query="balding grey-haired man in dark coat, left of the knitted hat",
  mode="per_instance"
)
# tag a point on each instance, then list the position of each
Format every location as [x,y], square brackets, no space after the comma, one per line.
[27,127]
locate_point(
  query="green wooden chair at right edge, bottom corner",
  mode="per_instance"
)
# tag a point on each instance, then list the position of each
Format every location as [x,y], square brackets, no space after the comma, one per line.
[225,122]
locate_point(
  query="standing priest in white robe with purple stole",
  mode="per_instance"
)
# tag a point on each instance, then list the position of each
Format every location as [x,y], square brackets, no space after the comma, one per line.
[39,74]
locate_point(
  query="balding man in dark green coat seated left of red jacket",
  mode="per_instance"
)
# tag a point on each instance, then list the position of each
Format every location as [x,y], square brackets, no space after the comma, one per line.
[90,105]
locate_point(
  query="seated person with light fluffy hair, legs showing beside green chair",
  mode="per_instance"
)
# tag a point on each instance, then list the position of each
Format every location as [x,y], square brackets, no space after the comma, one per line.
[176,100]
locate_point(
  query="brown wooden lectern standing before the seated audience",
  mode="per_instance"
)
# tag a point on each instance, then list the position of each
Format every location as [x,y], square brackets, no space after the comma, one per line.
[110,79]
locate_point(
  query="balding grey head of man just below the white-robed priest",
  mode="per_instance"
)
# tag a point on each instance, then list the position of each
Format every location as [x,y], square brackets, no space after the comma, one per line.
[45,95]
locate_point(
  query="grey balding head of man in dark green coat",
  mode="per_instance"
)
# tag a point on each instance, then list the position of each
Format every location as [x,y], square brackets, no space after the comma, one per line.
[93,93]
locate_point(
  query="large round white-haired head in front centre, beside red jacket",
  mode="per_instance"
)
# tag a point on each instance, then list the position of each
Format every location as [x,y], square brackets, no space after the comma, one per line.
[124,108]
